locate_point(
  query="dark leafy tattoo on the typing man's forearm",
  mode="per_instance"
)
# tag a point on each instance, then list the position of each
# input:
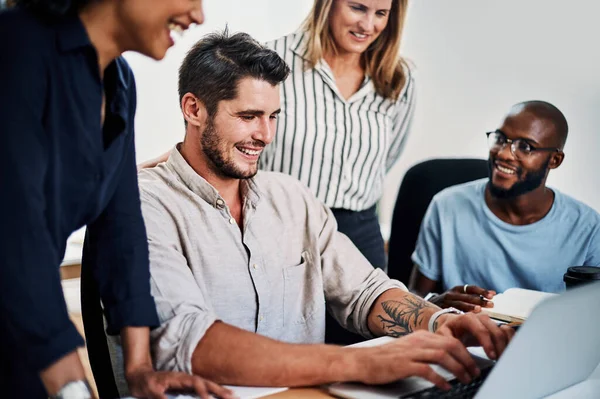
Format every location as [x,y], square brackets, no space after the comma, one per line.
[403,317]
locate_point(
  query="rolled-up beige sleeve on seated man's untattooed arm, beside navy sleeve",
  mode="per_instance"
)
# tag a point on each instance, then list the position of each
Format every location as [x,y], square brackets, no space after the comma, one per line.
[183,310]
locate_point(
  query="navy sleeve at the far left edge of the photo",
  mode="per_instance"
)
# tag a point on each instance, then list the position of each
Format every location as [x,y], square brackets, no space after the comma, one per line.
[32,306]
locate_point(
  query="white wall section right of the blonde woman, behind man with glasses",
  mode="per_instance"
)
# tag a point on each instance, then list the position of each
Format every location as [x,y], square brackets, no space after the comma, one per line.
[476,58]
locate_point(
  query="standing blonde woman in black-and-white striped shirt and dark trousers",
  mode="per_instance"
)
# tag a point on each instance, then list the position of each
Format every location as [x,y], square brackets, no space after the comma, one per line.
[346,110]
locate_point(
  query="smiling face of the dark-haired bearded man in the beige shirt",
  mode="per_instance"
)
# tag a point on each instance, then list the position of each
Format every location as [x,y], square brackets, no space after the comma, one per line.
[235,136]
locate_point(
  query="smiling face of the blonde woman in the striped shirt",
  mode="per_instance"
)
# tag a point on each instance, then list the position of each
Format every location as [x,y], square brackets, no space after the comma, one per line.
[356,24]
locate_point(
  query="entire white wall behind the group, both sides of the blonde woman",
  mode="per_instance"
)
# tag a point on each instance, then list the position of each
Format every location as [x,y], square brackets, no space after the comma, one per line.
[475,58]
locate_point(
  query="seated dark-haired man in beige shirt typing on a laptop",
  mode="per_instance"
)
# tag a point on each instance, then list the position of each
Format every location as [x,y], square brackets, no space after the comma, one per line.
[244,265]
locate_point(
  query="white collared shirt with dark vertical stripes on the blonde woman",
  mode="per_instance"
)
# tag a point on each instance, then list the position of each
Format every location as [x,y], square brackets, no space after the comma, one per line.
[341,149]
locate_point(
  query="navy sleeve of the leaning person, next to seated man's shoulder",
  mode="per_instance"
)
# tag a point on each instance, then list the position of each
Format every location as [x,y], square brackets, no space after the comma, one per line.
[117,250]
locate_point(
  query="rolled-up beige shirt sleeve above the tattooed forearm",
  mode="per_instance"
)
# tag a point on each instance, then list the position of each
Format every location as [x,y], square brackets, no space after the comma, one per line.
[351,284]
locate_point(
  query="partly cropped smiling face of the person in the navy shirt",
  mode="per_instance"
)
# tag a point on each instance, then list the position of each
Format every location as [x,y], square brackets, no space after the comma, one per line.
[148,24]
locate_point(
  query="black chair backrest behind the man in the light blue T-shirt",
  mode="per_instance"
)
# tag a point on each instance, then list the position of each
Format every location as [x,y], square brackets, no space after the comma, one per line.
[420,184]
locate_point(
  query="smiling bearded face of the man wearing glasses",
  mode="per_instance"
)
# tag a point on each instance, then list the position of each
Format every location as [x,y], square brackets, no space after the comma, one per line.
[511,177]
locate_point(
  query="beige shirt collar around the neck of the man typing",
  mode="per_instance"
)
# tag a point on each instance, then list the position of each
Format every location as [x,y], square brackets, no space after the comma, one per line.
[197,184]
